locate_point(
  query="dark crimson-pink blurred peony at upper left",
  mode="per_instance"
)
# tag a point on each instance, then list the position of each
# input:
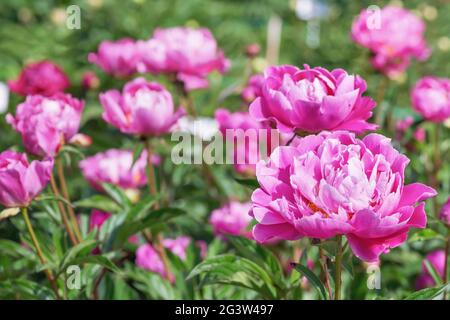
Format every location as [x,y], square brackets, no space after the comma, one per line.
[44,78]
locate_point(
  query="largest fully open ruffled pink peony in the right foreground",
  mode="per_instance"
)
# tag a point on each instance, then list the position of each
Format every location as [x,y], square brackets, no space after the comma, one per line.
[335,184]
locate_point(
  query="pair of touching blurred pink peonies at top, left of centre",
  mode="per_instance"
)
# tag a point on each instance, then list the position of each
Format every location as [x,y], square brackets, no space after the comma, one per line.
[190,54]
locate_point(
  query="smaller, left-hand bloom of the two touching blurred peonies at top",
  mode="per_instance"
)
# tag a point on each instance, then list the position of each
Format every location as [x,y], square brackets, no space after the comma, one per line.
[118,58]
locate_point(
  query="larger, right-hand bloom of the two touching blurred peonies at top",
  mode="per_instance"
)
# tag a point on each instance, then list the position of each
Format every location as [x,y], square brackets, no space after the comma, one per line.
[190,53]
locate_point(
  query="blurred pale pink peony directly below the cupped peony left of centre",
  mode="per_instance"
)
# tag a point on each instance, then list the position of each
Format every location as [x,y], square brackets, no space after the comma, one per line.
[115,167]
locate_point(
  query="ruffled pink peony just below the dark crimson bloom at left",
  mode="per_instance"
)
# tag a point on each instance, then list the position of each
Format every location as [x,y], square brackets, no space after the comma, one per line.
[46,123]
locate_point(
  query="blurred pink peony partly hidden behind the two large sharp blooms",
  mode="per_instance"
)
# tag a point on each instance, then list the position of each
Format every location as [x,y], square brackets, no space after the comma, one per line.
[246,133]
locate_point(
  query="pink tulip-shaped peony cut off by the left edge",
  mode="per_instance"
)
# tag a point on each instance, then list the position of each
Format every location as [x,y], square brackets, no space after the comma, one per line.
[21,181]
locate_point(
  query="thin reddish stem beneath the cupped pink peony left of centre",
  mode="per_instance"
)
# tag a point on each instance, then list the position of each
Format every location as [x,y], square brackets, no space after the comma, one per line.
[153,190]
